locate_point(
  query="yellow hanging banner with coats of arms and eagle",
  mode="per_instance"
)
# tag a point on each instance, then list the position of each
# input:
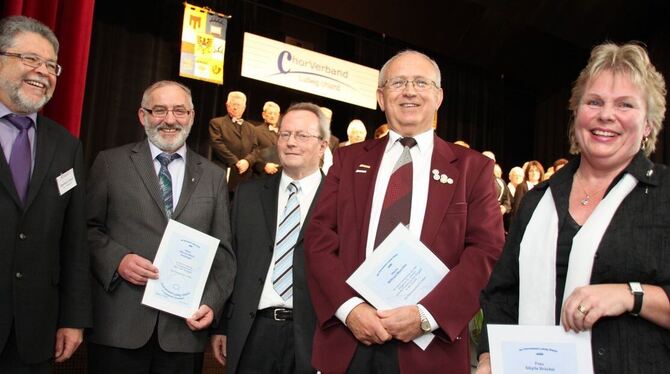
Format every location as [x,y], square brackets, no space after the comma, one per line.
[203,42]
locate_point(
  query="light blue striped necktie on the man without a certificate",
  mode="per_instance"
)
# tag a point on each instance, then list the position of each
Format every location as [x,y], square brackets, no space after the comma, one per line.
[287,236]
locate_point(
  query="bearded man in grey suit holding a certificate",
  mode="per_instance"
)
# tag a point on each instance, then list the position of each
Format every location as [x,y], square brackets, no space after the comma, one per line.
[132,192]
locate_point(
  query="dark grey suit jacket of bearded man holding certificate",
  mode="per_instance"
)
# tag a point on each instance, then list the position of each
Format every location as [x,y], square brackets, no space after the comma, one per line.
[126,214]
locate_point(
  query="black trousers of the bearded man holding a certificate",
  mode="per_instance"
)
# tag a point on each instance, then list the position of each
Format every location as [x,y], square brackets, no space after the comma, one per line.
[149,359]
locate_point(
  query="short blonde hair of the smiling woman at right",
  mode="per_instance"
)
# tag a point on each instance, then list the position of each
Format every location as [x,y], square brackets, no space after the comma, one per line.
[631,59]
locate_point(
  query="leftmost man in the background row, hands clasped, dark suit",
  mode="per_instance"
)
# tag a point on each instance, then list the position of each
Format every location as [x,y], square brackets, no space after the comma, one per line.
[233,141]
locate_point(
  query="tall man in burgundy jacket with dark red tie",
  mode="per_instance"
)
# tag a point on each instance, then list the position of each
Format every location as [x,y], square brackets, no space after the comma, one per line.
[452,209]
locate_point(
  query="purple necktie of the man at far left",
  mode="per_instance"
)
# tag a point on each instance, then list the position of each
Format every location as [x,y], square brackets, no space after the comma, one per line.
[20,157]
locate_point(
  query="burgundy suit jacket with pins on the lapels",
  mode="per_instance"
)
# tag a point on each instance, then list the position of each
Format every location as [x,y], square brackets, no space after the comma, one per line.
[462,226]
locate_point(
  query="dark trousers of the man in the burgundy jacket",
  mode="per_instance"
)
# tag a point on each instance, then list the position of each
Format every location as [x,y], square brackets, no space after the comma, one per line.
[376,358]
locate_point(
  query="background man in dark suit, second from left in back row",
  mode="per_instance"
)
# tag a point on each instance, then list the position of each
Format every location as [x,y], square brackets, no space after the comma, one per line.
[267,162]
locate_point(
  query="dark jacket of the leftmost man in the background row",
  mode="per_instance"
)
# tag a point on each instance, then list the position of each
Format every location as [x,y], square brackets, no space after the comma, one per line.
[230,143]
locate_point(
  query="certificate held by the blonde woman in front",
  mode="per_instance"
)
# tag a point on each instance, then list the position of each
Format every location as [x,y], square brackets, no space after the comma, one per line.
[519,349]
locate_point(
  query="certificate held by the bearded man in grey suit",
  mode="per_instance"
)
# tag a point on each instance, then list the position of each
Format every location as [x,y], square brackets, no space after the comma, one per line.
[184,258]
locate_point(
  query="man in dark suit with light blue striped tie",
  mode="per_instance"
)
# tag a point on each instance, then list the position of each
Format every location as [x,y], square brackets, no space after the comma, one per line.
[269,324]
